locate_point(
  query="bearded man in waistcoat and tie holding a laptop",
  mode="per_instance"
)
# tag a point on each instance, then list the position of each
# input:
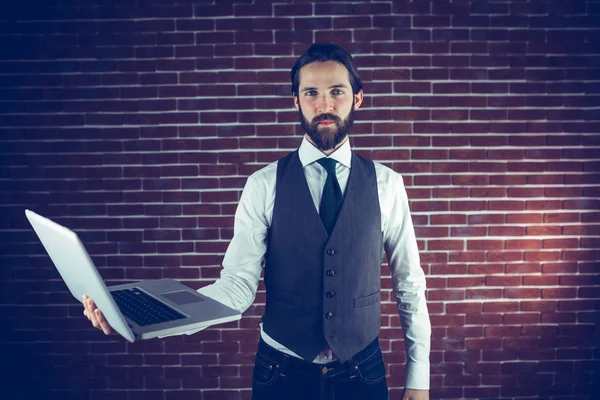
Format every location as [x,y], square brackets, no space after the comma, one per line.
[318,221]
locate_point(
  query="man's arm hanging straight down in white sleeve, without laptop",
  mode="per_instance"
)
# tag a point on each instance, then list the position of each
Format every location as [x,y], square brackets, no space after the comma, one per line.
[408,287]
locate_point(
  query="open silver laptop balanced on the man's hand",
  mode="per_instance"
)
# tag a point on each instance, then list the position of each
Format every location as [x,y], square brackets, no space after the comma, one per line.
[141,310]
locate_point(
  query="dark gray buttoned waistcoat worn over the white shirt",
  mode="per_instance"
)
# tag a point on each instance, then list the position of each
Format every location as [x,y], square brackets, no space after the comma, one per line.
[324,290]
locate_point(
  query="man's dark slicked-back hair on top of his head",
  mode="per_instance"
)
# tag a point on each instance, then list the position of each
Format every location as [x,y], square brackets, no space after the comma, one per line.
[322,53]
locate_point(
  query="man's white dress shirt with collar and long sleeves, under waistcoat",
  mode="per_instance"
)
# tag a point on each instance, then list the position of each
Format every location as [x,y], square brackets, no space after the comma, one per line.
[242,264]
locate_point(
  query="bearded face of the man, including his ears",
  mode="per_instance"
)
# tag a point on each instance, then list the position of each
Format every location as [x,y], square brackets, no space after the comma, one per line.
[326,103]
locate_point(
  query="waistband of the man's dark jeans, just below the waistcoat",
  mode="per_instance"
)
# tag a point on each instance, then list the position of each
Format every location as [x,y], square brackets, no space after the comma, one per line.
[287,361]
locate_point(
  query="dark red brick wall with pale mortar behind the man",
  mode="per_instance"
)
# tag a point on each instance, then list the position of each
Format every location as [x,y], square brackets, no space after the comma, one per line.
[136,124]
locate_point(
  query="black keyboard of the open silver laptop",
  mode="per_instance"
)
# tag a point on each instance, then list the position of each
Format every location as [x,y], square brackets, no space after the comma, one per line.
[142,308]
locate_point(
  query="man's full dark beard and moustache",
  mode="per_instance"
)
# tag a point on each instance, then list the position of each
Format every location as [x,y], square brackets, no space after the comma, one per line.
[327,137]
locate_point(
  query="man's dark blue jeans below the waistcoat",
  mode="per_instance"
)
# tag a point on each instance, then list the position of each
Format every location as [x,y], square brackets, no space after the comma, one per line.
[278,376]
